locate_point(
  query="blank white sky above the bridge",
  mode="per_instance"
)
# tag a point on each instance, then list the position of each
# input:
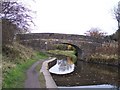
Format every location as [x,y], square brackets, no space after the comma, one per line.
[74,16]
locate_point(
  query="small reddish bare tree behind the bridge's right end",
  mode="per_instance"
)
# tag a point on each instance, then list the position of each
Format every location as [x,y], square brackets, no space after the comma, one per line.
[95,32]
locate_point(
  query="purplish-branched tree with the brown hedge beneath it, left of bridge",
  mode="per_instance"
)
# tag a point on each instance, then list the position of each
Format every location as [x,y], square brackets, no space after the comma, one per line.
[16,18]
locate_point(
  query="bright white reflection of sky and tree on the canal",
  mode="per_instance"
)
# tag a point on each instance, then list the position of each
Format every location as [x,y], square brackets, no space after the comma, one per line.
[63,66]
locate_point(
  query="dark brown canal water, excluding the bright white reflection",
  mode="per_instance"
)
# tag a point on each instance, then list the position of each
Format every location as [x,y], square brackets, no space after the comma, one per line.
[87,74]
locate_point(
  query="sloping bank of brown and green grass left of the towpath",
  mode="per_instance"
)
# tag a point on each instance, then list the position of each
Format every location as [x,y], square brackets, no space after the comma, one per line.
[15,63]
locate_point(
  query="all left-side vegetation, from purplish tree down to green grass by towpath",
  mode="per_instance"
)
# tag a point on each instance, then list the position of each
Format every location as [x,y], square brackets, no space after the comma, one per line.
[16,18]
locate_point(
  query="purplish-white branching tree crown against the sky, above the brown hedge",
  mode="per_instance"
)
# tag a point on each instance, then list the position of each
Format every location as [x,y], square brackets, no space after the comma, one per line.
[17,14]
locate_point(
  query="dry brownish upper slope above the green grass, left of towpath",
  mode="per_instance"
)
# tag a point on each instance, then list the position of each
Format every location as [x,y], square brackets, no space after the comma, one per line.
[14,54]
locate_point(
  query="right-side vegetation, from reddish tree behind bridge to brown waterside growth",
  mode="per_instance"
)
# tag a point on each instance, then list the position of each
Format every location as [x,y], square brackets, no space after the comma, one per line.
[107,53]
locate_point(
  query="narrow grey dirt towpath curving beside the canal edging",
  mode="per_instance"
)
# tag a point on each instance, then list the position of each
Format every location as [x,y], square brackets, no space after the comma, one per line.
[32,80]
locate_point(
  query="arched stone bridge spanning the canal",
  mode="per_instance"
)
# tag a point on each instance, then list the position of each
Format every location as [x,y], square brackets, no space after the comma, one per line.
[43,41]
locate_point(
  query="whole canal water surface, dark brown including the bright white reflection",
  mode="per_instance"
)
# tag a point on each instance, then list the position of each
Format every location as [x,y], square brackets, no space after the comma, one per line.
[84,75]
